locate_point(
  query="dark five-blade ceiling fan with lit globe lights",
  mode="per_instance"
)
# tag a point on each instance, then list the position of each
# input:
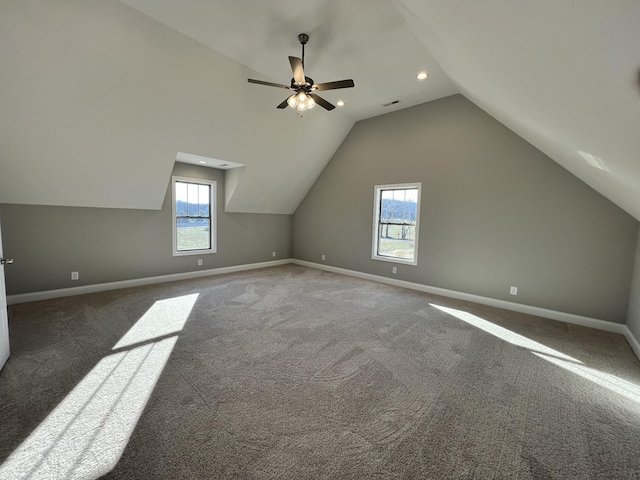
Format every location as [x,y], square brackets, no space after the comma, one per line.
[304,97]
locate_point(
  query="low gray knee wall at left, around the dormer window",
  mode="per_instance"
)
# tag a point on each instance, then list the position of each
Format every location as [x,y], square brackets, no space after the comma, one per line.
[106,245]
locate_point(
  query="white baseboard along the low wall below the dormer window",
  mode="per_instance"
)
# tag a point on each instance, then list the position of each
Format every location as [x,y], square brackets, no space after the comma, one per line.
[136,282]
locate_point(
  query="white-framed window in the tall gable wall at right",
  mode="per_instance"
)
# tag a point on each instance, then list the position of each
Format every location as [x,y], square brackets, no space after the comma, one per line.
[395,223]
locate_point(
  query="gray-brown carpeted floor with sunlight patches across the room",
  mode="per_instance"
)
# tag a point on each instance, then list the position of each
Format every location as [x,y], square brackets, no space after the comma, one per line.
[291,372]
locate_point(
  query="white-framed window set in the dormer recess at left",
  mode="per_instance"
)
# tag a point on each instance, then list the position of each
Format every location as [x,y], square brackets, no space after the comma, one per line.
[194,221]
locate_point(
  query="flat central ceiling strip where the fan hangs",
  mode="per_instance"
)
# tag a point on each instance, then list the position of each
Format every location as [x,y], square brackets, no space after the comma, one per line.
[368,41]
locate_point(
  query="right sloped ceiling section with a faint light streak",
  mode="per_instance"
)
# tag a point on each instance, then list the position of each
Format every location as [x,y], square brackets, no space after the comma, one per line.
[564,75]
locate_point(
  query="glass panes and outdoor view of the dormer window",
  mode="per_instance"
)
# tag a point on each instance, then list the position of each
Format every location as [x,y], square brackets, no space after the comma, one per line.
[193,216]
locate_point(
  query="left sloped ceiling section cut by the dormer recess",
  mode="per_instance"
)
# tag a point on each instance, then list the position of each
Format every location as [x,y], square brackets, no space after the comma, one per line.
[92,89]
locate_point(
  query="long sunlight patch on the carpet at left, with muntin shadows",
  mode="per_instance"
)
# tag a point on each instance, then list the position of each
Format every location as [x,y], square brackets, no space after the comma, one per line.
[86,434]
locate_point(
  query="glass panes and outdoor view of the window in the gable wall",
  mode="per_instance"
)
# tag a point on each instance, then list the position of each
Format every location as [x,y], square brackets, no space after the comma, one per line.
[397,223]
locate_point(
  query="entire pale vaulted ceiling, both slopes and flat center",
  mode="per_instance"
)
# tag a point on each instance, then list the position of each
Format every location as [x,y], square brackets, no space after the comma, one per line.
[98,98]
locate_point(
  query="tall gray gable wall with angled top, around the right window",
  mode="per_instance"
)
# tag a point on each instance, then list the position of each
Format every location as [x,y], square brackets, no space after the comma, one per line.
[495,212]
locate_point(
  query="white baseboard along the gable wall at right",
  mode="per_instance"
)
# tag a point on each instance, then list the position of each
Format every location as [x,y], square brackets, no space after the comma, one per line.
[516,307]
